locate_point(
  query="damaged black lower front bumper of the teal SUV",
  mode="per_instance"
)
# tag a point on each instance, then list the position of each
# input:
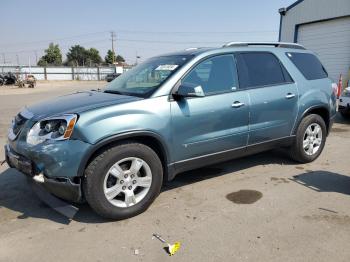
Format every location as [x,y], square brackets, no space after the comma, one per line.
[62,187]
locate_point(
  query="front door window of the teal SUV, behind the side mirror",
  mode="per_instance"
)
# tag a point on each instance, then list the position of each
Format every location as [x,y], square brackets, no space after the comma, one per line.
[215,75]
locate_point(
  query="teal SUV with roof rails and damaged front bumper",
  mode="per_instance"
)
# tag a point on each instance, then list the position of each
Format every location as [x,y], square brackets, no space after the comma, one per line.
[116,147]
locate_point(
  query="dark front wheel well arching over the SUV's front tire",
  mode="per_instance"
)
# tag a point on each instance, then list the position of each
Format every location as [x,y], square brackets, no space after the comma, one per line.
[150,141]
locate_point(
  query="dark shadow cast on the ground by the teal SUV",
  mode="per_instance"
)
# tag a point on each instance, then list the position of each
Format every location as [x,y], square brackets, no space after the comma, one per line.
[17,195]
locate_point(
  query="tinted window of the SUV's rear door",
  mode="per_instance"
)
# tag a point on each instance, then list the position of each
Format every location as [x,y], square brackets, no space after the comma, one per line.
[260,69]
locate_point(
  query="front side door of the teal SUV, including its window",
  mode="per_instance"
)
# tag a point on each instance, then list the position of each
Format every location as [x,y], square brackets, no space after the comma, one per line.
[215,123]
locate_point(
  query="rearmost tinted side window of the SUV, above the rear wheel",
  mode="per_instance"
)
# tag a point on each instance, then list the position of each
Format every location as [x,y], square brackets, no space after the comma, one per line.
[308,65]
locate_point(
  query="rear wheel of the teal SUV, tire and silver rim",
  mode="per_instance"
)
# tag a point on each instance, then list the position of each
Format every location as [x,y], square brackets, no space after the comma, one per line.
[298,152]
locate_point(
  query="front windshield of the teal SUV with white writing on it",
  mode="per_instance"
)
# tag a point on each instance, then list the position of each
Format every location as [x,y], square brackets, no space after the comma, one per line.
[144,79]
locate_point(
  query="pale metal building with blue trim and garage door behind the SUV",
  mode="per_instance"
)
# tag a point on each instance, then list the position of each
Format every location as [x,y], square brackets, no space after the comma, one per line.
[322,26]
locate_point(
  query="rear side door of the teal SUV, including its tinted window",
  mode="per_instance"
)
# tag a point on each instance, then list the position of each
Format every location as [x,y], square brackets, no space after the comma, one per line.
[273,96]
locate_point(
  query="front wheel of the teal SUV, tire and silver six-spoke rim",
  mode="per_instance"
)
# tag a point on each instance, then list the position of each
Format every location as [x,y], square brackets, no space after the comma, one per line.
[103,174]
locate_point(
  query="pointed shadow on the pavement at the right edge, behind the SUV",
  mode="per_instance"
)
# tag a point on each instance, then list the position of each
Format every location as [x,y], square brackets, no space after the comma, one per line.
[324,181]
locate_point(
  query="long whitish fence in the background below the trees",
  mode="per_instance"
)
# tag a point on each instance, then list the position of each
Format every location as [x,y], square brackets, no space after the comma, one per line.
[62,73]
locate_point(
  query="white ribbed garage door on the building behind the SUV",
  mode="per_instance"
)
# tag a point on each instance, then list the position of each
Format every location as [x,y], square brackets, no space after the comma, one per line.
[331,41]
